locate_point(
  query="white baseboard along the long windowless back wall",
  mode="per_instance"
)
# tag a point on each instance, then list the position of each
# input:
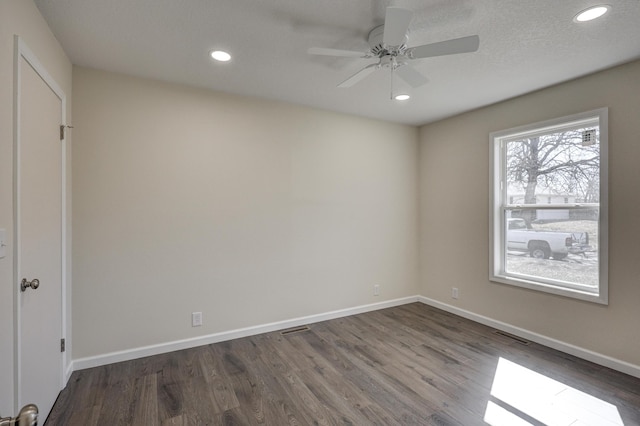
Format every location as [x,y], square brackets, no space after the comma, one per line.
[135,353]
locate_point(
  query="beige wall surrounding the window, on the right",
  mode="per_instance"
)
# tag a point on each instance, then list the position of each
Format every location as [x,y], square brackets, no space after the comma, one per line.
[454,198]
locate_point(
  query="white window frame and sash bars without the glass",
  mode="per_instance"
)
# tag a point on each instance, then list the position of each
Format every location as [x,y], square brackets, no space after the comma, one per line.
[498,201]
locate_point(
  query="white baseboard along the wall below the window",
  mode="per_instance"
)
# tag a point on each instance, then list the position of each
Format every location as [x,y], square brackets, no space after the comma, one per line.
[607,361]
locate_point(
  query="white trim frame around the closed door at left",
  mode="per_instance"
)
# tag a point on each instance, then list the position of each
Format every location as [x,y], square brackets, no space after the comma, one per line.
[22,51]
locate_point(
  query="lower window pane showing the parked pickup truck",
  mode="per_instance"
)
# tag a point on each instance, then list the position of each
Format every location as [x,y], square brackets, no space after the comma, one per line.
[559,245]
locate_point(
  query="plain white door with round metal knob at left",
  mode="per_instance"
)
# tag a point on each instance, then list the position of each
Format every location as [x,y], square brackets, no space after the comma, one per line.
[39,240]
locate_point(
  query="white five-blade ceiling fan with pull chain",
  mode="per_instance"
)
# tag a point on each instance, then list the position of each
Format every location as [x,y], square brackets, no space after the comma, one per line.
[388,43]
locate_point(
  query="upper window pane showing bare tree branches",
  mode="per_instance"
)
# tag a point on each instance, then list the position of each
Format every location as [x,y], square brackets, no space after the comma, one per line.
[560,167]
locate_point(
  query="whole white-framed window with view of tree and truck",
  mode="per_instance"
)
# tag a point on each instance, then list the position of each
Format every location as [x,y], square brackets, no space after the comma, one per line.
[548,218]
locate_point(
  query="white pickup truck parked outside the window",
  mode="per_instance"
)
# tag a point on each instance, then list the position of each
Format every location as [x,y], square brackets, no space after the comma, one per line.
[544,244]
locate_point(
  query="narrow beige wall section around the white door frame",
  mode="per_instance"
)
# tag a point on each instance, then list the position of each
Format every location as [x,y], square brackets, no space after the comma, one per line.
[19,17]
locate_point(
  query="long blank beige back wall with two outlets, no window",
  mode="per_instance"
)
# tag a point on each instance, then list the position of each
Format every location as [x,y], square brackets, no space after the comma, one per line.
[247,210]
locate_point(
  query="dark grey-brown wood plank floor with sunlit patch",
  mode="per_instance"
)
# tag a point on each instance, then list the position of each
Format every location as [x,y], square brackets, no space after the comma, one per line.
[412,364]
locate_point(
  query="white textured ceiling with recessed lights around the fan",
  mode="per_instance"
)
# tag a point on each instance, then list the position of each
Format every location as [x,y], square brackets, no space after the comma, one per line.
[524,45]
